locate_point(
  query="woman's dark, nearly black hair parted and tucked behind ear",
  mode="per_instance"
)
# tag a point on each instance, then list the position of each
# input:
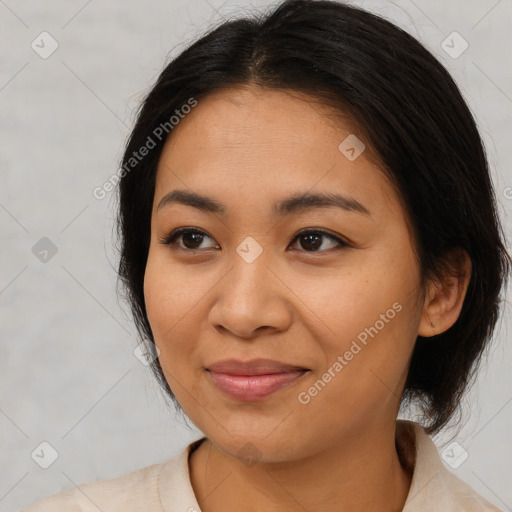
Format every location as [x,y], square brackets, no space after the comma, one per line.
[411,116]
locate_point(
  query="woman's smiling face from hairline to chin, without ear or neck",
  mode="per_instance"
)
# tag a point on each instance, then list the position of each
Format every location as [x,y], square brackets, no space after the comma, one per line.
[248,287]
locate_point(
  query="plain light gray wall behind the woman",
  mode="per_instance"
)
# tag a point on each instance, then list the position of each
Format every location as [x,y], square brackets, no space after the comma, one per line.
[68,372]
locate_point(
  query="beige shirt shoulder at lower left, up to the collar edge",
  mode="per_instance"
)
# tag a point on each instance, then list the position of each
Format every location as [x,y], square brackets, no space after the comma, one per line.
[133,491]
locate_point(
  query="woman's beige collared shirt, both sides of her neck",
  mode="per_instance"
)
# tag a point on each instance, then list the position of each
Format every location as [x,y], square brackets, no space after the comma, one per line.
[166,487]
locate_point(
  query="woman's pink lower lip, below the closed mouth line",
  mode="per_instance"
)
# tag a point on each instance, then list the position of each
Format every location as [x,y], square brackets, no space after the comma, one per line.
[253,387]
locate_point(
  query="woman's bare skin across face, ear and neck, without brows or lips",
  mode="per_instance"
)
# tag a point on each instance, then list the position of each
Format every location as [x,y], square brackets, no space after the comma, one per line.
[248,148]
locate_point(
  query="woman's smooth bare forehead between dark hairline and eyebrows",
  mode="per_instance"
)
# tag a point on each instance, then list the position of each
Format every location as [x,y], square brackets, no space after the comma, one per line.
[260,143]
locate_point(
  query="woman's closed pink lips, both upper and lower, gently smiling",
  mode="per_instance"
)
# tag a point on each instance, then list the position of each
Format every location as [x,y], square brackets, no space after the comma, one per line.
[253,380]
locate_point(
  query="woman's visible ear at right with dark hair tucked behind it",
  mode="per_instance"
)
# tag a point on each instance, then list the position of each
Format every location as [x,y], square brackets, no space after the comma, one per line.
[445,296]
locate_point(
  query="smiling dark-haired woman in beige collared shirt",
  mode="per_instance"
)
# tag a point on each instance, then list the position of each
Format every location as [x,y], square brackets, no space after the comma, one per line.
[309,242]
